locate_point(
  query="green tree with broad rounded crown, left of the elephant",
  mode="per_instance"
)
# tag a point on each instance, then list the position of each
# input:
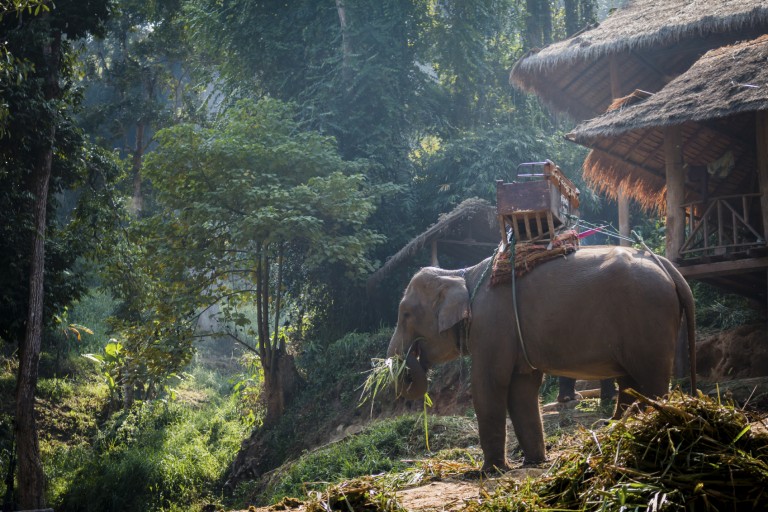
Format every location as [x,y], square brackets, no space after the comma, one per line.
[243,200]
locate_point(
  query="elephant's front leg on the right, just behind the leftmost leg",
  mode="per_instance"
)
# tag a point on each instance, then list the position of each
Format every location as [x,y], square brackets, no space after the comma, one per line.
[523,404]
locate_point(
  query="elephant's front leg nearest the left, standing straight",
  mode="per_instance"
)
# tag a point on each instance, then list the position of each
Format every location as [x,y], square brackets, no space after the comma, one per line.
[489,396]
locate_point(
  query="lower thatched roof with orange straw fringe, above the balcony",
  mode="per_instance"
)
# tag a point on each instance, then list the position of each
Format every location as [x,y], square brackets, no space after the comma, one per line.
[713,103]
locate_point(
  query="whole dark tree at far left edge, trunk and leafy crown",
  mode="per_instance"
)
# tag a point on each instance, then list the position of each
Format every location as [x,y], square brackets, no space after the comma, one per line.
[39,43]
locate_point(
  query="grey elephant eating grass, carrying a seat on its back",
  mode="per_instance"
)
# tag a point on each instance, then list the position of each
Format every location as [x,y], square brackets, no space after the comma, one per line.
[603,312]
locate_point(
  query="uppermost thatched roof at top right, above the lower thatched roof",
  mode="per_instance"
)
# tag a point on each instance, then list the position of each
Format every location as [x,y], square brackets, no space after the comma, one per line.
[649,41]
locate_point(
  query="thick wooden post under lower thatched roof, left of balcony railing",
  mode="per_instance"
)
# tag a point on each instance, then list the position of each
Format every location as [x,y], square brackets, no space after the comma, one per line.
[673,157]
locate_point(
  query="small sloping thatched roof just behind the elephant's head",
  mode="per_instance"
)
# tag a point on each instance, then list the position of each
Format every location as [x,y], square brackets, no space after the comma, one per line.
[469,232]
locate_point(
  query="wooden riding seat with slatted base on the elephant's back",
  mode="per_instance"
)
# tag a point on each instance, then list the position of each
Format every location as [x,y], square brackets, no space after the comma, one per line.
[537,207]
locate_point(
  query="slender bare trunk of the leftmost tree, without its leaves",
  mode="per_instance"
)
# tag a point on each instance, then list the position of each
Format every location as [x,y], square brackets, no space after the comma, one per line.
[30,476]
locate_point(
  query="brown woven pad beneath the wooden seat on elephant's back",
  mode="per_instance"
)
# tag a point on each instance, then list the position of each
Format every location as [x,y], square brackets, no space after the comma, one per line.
[528,255]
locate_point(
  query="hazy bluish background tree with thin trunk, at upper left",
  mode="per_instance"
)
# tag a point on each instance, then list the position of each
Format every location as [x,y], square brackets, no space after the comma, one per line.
[136,81]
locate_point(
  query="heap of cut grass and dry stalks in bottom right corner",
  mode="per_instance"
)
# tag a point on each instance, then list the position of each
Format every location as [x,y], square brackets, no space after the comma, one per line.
[687,453]
